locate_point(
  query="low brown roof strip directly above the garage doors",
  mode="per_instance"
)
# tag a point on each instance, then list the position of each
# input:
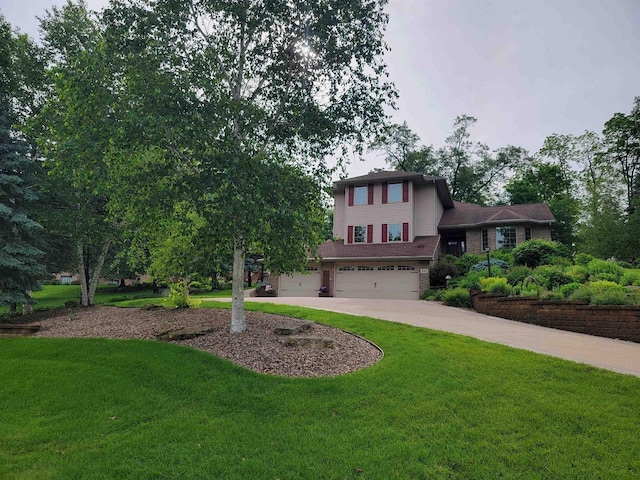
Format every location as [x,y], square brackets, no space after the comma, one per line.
[421,247]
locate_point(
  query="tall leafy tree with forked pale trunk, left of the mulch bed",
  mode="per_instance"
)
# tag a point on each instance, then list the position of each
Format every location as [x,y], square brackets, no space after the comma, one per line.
[78,124]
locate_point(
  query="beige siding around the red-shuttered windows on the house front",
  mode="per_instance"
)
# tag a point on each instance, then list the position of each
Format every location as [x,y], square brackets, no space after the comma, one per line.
[379,213]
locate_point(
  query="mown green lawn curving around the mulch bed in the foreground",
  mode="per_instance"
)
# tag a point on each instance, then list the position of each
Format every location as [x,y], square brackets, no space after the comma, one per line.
[437,406]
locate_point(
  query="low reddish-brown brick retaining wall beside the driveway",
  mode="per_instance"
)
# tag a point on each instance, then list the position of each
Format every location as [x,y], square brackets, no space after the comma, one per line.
[615,321]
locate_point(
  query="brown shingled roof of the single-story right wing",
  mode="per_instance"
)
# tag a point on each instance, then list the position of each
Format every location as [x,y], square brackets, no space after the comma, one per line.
[470,215]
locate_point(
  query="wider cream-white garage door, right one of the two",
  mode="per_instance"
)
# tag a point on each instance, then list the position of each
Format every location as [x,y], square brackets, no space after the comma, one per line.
[397,281]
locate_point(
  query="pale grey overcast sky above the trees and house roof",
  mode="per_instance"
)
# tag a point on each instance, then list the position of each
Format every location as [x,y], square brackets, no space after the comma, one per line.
[525,70]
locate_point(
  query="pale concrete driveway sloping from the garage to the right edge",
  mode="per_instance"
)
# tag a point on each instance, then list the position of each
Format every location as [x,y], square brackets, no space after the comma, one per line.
[616,355]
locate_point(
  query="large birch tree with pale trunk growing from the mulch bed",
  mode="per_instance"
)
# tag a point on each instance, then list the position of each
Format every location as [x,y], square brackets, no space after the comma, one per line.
[267,89]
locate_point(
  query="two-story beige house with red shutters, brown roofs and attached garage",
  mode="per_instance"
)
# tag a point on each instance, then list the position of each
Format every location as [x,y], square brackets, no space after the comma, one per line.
[390,228]
